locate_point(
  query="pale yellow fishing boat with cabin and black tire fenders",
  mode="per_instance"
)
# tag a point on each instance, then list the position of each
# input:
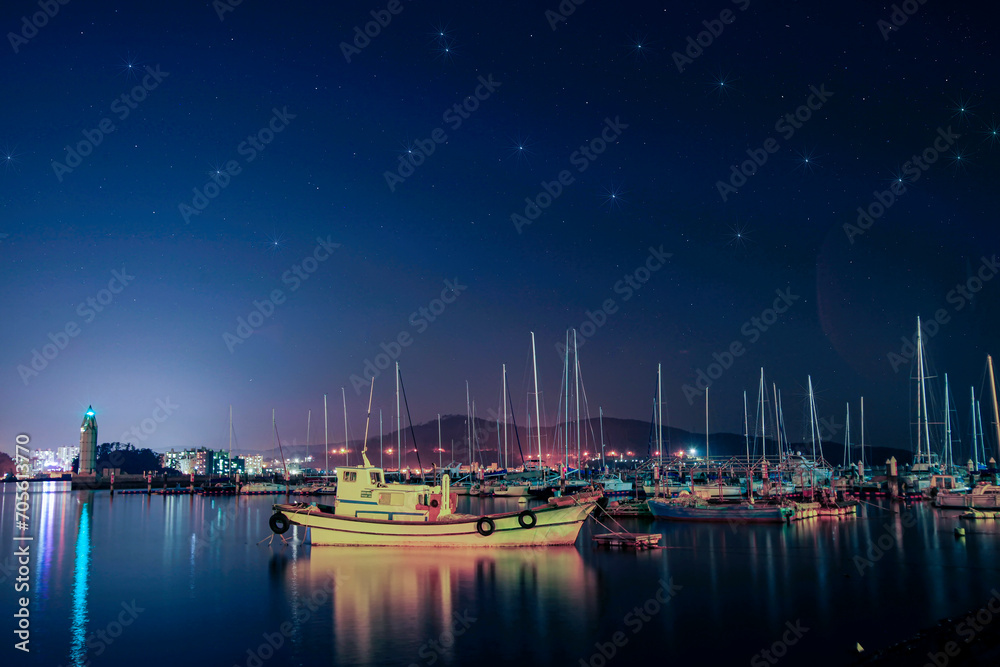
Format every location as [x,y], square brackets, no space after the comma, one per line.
[369,512]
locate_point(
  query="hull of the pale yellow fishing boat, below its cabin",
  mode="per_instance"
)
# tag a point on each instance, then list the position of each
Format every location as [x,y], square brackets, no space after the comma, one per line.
[556,524]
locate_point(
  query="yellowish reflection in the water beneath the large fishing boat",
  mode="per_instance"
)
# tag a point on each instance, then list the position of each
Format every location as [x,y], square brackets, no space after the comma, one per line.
[418,594]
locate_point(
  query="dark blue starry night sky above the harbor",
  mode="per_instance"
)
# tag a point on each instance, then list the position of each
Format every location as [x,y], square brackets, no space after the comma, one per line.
[174,163]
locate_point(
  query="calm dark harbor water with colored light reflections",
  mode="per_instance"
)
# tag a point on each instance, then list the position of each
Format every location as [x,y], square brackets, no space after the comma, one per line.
[182,580]
